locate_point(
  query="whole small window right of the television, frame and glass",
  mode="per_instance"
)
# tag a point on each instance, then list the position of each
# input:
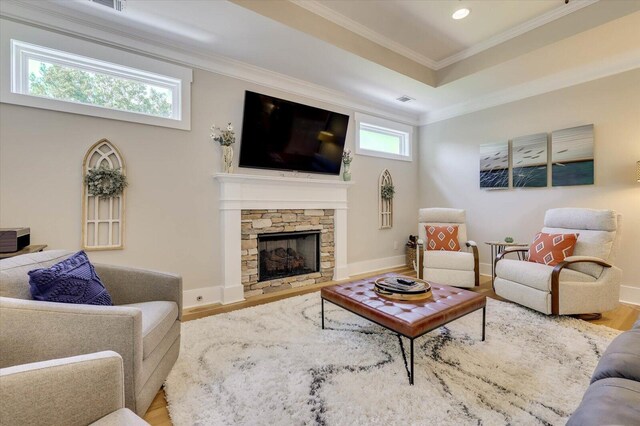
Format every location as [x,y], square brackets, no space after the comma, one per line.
[383,138]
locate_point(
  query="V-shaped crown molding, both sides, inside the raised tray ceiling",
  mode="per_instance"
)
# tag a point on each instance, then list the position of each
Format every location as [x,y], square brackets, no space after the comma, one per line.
[320,9]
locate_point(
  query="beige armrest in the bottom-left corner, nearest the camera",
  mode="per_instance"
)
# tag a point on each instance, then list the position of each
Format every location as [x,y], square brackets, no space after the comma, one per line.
[79,390]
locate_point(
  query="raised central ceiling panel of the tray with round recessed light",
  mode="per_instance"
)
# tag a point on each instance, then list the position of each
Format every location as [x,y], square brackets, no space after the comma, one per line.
[426,27]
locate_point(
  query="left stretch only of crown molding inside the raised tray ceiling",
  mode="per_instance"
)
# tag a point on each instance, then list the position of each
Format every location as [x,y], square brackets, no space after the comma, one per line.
[329,14]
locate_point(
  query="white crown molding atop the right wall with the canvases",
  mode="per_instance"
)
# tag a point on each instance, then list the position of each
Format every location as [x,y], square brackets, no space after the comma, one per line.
[568,78]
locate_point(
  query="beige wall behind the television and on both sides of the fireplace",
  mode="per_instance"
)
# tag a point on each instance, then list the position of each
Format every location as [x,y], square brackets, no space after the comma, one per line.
[172,200]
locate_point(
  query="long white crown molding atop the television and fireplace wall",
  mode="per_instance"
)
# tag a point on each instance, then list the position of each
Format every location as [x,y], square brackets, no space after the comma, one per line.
[50,18]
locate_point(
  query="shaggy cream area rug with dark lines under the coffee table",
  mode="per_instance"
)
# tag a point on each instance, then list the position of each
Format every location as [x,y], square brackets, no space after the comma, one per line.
[274,365]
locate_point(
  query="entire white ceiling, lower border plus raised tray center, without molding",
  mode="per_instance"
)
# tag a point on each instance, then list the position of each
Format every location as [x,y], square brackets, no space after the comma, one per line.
[209,32]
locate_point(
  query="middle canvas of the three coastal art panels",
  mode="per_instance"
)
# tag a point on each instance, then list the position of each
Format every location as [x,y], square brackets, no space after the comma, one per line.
[529,161]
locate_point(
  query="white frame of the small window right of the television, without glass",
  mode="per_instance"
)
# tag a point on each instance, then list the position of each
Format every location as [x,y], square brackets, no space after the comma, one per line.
[388,127]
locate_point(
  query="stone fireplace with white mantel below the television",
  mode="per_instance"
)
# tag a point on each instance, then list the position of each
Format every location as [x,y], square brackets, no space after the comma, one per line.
[256,208]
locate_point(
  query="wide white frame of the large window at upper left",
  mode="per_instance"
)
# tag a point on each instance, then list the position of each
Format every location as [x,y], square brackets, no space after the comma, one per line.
[20,43]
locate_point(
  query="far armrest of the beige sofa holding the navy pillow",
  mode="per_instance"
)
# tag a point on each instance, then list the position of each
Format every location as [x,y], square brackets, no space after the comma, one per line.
[131,285]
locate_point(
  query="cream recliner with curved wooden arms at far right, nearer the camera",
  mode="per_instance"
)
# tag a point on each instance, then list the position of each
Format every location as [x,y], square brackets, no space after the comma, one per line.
[584,283]
